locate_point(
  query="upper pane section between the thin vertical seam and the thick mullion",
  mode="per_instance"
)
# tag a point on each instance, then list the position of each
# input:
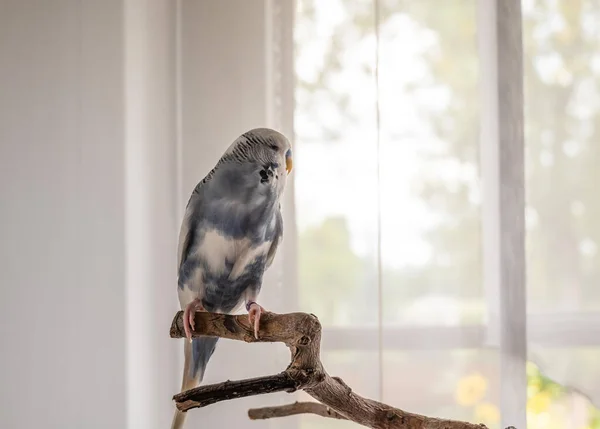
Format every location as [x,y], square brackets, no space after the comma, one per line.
[430,160]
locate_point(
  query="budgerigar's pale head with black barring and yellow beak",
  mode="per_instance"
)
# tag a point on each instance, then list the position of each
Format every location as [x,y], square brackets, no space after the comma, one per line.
[264,146]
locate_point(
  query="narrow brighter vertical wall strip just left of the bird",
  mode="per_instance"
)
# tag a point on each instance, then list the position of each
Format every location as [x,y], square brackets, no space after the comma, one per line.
[152,224]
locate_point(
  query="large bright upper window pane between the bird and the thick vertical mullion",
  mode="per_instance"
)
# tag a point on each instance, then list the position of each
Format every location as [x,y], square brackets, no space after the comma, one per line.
[429,169]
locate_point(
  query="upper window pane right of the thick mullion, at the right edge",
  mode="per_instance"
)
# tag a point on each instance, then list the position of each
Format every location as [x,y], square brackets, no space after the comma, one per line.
[562,109]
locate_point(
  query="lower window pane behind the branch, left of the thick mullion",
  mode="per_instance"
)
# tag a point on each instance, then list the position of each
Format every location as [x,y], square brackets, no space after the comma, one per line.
[459,384]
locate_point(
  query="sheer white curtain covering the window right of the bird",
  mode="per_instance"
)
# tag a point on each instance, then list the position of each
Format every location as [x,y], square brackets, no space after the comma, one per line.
[392,174]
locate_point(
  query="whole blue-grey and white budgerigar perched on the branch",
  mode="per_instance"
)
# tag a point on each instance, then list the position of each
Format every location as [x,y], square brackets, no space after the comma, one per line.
[229,235]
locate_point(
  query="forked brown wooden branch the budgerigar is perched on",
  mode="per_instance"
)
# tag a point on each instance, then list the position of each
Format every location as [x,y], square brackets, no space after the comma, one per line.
[301,332]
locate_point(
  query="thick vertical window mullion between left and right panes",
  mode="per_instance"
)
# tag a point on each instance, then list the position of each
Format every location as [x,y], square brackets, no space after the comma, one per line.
[503,176]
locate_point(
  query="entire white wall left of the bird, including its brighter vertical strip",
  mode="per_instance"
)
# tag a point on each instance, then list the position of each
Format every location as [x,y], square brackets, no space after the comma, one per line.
[88,223]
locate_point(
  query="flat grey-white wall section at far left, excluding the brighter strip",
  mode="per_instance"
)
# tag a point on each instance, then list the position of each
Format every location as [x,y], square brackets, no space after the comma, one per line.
[62,282]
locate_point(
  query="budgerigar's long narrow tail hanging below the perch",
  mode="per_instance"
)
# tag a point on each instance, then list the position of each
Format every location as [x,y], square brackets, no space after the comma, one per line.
[197,353]
